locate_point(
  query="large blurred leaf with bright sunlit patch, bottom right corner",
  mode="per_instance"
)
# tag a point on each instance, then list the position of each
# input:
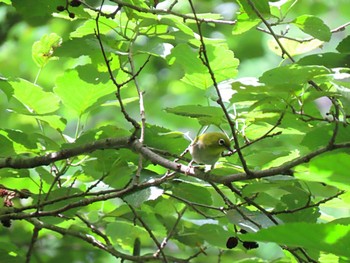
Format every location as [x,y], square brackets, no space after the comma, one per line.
[329,238]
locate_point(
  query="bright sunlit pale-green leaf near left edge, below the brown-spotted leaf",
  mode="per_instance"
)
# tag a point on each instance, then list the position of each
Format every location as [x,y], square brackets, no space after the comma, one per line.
[34,99]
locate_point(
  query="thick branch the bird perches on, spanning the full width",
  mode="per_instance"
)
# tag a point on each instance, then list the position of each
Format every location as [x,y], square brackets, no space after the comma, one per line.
[138,147]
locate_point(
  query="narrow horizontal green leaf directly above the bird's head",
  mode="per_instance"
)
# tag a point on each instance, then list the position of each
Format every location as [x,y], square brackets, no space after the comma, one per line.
[206,115]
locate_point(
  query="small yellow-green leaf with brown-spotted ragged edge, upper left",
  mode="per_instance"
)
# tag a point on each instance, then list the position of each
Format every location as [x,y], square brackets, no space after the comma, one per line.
[43,50]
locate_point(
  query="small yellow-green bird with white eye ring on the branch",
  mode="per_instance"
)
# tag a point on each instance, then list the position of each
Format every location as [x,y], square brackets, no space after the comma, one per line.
[208,147]
